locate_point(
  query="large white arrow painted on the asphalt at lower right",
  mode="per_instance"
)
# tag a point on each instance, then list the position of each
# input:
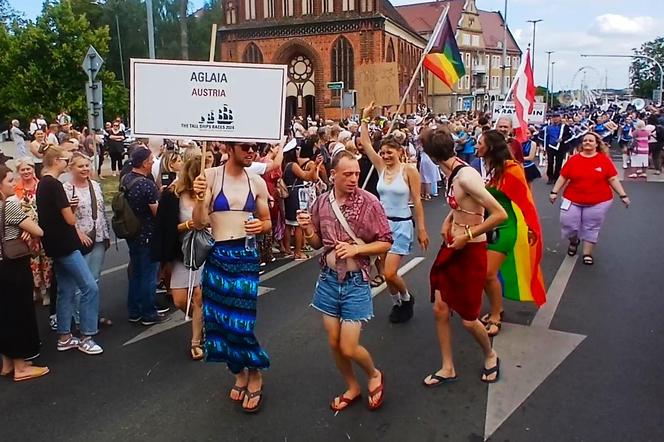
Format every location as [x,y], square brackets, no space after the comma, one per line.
[529,354]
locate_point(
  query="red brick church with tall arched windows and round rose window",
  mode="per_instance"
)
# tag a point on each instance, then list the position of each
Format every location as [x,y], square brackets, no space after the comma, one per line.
[365,44]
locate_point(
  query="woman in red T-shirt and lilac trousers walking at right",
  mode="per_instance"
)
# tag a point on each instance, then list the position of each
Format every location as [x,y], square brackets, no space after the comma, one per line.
[589,176]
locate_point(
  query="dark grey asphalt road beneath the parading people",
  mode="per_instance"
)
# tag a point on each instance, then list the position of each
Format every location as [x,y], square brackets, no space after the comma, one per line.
[607,389]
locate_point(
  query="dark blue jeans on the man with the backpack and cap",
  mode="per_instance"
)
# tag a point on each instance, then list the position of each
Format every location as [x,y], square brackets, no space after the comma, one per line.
[142,282]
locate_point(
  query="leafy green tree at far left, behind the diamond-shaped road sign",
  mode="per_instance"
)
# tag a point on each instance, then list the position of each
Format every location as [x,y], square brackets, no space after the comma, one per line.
[45,74]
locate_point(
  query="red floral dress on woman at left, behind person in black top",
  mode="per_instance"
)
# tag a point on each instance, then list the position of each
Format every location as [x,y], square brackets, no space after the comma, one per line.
[40,264]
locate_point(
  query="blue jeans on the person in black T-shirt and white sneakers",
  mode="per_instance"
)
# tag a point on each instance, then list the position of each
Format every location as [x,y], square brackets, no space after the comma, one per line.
[73,274]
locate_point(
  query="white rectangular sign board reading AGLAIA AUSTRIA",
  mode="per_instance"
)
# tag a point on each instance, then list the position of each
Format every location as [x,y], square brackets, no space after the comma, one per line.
[208,101]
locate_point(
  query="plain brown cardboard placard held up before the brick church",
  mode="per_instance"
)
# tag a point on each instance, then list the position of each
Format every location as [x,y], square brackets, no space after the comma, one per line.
[377,82]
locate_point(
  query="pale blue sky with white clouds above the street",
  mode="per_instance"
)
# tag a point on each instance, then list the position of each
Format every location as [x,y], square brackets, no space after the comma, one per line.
[569,27]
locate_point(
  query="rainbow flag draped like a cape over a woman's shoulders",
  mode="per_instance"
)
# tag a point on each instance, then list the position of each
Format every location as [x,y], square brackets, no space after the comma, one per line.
[520,273]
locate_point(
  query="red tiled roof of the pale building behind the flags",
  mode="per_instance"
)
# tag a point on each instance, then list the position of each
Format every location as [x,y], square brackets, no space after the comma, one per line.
[422,17]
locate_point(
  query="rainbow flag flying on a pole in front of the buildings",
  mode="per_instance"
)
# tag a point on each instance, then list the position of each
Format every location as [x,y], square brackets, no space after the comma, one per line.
[444,60]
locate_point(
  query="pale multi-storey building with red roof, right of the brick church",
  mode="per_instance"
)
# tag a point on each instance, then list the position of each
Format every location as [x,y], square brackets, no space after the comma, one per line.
[480,36]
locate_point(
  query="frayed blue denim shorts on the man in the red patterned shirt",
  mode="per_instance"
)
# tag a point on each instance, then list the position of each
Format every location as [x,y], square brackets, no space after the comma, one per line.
[348,300]
